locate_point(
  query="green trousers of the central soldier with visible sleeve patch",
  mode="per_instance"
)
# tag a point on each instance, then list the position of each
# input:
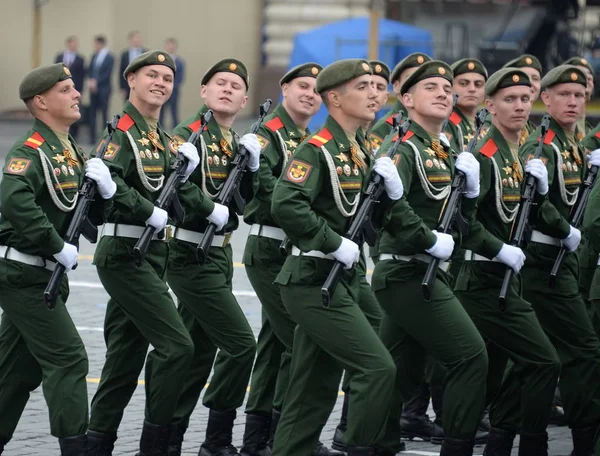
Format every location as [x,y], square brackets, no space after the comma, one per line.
[326,342]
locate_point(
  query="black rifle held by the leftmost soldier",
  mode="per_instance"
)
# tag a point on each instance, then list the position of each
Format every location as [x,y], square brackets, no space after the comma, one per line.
[80,223]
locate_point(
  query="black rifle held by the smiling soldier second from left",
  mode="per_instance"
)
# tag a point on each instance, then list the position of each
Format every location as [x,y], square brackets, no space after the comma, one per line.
[167,199]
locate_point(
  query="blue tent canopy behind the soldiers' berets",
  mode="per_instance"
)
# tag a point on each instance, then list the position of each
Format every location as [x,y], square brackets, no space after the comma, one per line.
[350,39]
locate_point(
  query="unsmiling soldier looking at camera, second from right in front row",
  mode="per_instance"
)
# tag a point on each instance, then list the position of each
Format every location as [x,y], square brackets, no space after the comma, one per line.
[514,333]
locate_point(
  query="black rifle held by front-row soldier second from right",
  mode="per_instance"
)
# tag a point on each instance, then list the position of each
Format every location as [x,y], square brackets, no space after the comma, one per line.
[522,232]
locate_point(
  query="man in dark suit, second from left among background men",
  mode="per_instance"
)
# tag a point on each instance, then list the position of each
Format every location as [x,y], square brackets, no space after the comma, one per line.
[99,74]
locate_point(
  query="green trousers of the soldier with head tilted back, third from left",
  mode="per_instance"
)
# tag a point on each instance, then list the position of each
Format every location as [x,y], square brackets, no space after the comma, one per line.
[214,320]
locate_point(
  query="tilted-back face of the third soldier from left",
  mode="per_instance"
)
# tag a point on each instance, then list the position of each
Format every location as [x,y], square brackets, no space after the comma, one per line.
[225,93]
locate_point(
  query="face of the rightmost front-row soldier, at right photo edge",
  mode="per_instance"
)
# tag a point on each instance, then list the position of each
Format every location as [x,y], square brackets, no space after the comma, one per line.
[565,103]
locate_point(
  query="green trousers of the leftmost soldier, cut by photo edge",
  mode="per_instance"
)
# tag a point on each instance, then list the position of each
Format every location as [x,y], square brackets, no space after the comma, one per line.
[39,346]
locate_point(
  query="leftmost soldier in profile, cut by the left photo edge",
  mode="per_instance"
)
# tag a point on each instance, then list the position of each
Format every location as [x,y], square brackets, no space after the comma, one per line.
[38,193]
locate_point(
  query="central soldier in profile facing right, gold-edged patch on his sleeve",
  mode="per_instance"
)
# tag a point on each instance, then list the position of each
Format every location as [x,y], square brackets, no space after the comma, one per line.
[313,202]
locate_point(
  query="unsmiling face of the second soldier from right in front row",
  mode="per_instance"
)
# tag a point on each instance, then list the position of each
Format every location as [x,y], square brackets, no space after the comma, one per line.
[511,107]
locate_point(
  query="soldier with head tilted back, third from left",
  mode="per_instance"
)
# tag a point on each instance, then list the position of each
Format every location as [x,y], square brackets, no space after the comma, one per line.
[207,305]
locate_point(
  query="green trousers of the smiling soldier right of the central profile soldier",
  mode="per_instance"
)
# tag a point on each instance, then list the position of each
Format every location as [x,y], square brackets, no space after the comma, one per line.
[413,328]
